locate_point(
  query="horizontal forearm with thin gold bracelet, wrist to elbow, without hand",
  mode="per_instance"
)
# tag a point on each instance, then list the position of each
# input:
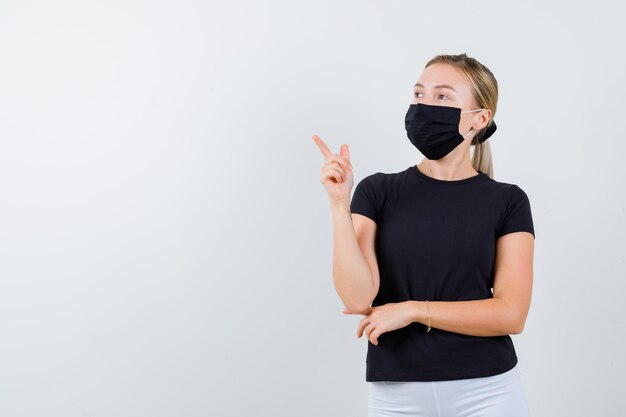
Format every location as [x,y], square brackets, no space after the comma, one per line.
[488,317]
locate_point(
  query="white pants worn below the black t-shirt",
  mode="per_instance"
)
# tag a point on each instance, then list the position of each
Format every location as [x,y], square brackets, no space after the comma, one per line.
[493,396]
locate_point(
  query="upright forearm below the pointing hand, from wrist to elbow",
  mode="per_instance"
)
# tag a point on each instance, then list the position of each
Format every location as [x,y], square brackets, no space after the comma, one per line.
[351,273]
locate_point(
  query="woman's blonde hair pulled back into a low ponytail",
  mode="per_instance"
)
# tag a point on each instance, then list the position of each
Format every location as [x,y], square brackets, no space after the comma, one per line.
[484,87]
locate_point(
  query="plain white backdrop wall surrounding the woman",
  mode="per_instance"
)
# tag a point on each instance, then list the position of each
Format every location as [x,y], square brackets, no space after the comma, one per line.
[165,243]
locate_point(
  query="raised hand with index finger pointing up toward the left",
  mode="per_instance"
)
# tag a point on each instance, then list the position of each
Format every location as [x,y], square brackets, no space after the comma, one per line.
[336,173]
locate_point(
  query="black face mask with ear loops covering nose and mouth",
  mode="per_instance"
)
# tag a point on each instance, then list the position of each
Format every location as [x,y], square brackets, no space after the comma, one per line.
[434,130]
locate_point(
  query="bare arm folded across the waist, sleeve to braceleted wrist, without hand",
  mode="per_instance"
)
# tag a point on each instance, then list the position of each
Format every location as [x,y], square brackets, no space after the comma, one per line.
[503,314]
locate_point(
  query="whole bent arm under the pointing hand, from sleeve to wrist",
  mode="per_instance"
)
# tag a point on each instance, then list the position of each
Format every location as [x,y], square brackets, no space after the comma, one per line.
[355,268]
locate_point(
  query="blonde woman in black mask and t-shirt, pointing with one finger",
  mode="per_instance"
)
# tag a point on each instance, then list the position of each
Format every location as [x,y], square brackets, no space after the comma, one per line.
[438,257]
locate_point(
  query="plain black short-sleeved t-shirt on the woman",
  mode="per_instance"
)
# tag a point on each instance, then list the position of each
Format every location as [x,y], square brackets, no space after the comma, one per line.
[436,241]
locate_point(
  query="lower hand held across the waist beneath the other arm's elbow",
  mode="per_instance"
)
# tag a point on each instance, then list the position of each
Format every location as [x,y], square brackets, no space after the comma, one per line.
[384,318]
